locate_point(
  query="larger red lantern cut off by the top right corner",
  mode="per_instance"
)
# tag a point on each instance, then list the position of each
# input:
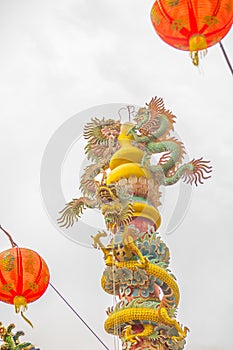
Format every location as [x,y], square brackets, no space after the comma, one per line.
[192,25]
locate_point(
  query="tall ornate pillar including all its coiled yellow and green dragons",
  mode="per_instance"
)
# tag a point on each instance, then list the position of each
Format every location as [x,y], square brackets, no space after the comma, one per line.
[128,195]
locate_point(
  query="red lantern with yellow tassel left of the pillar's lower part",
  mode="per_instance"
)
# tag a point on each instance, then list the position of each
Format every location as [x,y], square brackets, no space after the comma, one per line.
[24,277]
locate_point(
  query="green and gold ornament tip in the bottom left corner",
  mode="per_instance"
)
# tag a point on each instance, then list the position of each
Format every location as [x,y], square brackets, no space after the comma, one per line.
[11,341]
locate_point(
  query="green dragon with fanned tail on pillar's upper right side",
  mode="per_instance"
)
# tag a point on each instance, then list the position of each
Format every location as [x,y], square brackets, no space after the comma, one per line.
[153,126]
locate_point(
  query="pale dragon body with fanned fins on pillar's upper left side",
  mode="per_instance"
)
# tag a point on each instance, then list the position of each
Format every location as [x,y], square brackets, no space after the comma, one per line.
[102,144]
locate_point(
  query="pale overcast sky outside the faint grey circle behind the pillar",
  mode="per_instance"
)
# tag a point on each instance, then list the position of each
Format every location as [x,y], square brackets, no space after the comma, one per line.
[59,58]
